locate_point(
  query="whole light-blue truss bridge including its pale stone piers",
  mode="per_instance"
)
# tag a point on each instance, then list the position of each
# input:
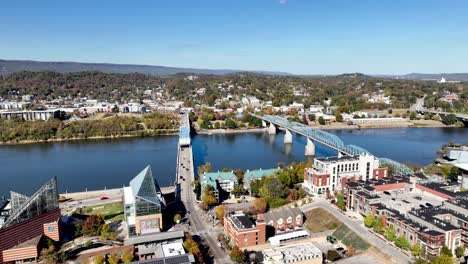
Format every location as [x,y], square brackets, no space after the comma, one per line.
[324,138]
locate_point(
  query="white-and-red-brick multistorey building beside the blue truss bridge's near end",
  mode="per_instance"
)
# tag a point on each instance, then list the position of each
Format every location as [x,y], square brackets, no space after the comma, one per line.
[330,174]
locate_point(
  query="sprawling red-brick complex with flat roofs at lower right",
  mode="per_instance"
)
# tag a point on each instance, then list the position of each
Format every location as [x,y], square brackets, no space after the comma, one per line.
[425,214]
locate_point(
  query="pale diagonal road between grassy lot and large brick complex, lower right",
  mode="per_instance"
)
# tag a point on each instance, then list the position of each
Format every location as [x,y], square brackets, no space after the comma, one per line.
[358,228]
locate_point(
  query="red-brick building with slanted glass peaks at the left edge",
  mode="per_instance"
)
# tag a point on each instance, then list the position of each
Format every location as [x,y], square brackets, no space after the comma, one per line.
[31,218]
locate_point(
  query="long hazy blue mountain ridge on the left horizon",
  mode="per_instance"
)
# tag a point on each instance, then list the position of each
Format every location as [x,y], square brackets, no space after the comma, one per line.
[11,66]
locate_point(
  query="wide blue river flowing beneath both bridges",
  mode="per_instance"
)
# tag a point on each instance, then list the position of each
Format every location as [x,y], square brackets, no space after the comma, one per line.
[111,163]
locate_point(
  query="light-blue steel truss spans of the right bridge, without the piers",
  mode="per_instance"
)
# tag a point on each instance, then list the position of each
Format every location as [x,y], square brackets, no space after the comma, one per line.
[331,141]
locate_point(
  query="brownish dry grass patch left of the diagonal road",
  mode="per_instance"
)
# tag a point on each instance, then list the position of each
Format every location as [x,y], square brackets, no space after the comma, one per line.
[319,220]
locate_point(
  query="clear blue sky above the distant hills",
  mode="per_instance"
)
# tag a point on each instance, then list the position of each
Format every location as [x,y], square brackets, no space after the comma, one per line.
[297,36]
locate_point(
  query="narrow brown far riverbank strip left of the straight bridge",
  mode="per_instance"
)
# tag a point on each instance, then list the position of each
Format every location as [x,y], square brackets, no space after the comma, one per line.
[51,140]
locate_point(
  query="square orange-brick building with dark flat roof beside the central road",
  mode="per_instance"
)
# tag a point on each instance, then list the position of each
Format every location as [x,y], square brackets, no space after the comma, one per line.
[243,231]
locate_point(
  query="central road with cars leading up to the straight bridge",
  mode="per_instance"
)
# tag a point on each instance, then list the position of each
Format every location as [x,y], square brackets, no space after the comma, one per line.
[198,226]
